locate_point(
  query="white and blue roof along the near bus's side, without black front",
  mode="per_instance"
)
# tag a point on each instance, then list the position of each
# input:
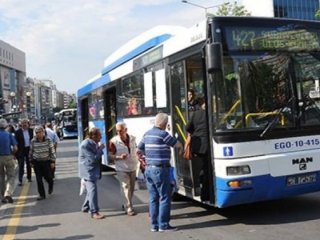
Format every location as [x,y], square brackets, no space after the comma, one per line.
[176,37]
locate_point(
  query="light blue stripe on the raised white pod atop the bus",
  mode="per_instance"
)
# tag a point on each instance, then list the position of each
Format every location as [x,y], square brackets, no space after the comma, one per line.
[137,51]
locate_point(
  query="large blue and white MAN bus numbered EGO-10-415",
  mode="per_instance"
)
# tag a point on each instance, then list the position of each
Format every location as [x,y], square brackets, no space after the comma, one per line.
[260,78]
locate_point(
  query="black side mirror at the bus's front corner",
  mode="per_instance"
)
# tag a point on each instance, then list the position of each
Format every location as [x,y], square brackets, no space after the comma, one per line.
[214,57]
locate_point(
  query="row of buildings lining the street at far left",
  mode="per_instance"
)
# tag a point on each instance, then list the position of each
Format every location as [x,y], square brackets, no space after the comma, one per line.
[22,97]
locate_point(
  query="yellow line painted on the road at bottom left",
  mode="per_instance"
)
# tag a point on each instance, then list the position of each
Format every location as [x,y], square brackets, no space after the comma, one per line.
[15,217]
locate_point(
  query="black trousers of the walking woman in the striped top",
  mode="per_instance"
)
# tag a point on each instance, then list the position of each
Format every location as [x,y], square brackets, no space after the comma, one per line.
[42,170]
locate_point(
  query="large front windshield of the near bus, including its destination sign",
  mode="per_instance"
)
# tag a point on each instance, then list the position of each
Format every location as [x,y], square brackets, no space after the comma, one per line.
[270,76]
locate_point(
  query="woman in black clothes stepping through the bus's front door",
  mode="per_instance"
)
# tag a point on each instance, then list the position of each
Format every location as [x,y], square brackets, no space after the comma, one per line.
[198,128]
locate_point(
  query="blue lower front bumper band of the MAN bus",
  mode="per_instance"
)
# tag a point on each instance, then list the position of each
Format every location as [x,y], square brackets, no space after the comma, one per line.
[263,188]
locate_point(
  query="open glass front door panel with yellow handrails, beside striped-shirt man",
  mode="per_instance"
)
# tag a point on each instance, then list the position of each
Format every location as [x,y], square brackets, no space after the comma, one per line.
[178,113]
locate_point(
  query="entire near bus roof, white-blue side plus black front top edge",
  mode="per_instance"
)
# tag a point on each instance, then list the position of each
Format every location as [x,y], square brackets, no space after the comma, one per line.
[173,39]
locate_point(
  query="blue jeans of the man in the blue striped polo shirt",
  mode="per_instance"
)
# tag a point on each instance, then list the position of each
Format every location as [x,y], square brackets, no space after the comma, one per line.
[159,188]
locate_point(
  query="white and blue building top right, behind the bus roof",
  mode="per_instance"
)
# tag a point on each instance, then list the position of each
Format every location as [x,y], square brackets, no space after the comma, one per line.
[301,9]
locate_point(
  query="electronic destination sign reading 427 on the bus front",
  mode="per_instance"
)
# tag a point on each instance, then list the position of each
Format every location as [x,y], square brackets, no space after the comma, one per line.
[283,38]
